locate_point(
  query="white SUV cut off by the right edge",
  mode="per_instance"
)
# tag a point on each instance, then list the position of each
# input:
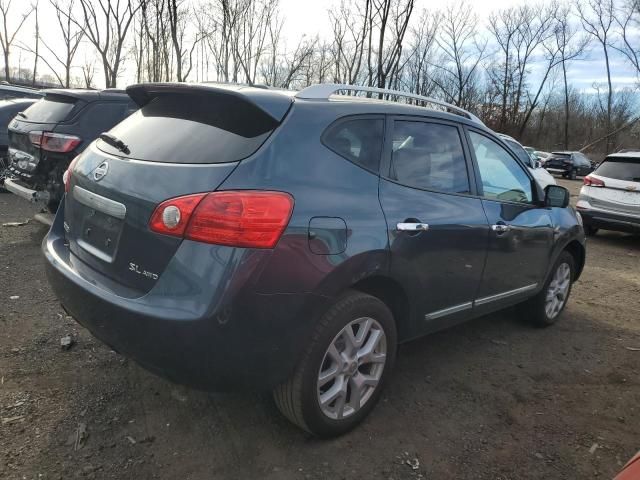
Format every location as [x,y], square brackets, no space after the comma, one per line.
[610,196]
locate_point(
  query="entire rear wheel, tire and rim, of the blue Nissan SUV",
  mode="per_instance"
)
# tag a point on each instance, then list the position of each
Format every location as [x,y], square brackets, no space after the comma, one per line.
[340,378]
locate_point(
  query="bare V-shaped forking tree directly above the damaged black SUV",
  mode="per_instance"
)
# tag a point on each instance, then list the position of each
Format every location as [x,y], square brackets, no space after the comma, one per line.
[106,24]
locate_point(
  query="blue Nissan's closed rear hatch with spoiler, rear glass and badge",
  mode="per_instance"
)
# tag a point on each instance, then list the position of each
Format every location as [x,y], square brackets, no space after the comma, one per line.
[183,140]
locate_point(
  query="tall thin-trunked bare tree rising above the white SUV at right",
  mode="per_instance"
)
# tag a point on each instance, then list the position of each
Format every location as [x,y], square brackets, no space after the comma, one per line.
[597,18]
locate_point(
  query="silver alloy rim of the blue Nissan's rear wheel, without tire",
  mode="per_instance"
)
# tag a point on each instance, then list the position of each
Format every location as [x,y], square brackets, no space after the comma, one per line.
[351,368]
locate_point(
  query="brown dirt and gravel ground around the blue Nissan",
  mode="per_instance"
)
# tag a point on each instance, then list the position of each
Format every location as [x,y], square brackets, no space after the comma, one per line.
[492,399]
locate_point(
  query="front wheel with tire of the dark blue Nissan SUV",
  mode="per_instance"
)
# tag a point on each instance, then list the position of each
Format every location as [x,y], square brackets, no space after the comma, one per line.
[545,308]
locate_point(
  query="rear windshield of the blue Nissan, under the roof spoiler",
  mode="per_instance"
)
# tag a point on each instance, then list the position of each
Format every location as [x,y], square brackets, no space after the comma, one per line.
[191,128]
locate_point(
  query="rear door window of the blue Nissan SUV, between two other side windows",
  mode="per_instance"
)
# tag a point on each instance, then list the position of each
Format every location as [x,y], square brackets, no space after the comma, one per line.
[429,156]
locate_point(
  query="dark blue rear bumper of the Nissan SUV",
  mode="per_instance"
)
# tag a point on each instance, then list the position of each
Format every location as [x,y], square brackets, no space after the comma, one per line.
[208,340]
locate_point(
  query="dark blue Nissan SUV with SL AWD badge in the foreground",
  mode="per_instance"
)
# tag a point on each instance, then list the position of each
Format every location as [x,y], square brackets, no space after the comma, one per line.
[233,237]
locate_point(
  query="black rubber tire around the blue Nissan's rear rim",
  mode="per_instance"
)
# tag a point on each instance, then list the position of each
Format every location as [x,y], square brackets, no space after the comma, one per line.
[298,398]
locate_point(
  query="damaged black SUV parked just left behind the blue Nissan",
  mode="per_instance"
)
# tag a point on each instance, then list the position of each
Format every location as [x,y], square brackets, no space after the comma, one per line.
[48,135]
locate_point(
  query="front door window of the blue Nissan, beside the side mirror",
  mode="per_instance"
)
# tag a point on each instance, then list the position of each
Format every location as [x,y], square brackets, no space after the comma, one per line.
[502,177]
